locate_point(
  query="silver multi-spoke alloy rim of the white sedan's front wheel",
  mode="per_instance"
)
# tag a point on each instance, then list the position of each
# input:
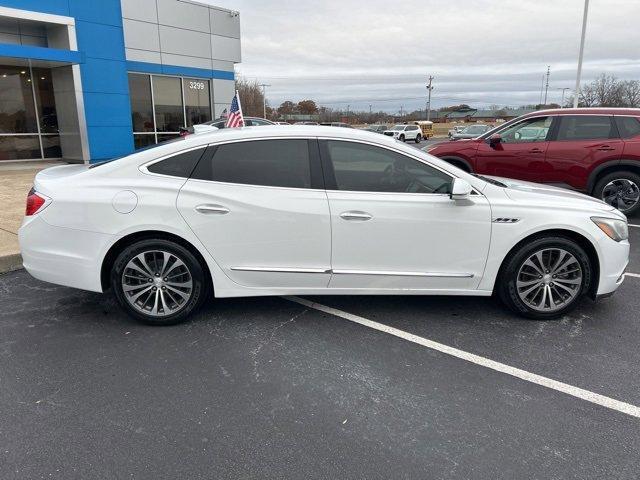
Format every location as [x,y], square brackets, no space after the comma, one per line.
[549,280]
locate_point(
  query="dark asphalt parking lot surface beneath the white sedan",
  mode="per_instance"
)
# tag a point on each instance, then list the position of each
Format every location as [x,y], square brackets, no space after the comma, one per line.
[272,388]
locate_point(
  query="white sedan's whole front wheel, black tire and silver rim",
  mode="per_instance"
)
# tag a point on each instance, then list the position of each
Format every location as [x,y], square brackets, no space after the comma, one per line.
[545,278]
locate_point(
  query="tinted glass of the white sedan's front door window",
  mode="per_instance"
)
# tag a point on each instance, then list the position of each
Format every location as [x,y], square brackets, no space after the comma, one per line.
[365,168]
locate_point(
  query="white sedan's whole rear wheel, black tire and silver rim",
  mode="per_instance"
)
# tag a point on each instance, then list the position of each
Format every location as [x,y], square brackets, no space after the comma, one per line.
[158,282]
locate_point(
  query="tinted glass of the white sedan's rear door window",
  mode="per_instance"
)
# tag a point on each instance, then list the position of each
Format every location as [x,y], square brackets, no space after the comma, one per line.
[276,163]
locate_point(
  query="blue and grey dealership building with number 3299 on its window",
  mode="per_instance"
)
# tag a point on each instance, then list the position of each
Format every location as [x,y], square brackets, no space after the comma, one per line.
[89,80]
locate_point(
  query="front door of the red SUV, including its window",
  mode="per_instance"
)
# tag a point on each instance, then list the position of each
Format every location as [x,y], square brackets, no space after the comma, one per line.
[521,152]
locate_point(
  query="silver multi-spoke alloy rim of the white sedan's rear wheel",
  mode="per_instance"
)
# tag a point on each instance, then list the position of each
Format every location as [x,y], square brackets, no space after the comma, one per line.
[157,283]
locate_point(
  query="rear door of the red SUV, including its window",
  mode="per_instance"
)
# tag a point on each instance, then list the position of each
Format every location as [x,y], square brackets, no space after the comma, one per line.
[582,143]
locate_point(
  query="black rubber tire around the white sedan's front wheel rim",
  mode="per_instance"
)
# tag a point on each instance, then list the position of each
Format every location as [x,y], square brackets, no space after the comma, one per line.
[506,287]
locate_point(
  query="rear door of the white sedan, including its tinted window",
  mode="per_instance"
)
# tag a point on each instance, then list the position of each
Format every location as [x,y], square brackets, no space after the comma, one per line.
[256,208]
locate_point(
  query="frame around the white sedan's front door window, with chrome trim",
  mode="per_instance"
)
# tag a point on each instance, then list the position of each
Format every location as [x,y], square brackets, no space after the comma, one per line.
[331,183]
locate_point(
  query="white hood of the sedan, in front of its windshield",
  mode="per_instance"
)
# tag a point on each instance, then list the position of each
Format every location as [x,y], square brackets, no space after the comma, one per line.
[553,197]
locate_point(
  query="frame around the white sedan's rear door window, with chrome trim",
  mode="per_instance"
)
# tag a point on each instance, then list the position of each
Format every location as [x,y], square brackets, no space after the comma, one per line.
[315,167]
